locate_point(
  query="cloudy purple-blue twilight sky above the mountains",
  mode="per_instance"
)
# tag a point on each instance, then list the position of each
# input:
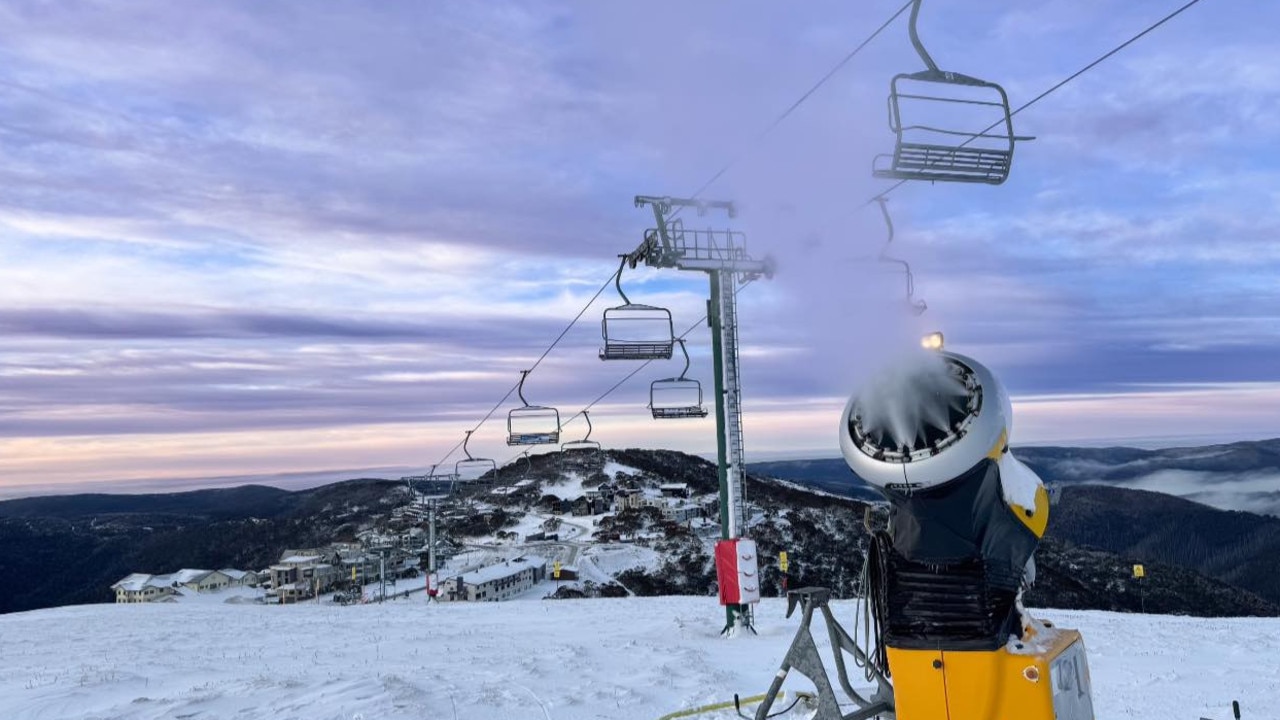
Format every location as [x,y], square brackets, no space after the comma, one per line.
[248,239]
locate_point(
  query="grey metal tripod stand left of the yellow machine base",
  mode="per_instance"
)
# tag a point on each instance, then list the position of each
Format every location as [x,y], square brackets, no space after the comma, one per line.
[803,657]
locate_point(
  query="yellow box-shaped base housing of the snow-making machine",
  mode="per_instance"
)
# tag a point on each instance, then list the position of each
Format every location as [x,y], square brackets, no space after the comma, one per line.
[1044,678]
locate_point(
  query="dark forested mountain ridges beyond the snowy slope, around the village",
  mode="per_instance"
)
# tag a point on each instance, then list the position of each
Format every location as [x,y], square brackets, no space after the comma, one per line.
[94,541]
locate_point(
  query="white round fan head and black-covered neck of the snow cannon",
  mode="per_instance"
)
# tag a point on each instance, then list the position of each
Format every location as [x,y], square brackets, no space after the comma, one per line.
[932,435]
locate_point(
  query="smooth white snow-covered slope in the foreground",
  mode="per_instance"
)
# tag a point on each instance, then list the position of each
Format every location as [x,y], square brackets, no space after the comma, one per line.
[537,660]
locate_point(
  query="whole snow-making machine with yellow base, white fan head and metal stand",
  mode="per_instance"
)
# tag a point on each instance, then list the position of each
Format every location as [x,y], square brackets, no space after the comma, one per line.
[949,639]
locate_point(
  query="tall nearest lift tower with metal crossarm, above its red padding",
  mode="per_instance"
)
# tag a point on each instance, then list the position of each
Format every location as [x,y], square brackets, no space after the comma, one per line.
[723,256]
